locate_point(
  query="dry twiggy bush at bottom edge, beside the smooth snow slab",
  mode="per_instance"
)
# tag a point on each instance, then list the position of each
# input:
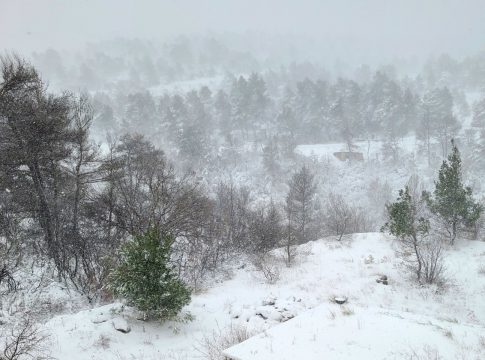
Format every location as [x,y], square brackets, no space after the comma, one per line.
[211,347]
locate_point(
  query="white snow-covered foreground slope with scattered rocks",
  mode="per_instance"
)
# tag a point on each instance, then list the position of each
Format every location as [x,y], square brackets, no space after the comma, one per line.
[402,317]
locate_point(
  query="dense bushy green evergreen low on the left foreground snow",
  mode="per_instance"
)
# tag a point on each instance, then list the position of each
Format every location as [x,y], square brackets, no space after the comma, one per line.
[145,278]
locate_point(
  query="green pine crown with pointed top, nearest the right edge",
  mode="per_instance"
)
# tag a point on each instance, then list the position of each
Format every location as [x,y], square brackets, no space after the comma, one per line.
[452,202]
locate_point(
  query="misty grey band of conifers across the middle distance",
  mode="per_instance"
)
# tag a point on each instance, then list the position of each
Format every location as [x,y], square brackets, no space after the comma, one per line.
[273,111]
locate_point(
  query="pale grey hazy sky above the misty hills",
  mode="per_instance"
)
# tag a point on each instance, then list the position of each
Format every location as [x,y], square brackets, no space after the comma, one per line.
[403,28]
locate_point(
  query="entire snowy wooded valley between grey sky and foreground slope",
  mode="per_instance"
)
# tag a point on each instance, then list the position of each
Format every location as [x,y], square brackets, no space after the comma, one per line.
[217,167]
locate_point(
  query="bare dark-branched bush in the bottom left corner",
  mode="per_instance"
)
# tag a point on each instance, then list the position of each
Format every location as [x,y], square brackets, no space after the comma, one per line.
[24,341]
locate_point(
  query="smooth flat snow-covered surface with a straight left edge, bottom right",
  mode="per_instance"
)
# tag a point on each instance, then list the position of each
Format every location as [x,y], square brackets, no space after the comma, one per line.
[366,333]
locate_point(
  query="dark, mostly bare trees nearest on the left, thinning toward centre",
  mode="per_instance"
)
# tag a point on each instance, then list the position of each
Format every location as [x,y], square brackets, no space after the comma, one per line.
[75,203]
